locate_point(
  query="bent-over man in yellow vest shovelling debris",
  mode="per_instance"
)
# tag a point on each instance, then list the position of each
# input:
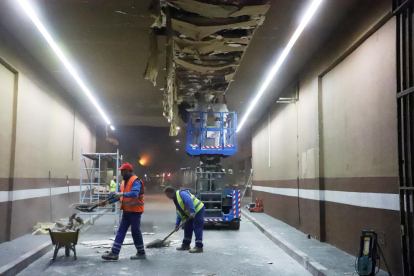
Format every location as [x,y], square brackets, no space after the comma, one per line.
[191,209]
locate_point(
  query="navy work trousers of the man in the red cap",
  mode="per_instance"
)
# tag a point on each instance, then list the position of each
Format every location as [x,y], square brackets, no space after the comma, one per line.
[132,219]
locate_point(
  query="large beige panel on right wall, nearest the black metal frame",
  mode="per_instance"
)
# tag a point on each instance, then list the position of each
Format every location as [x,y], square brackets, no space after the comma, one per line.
[359,110]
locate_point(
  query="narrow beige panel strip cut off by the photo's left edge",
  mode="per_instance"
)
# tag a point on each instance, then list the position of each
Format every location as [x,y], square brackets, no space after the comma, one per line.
[6,119]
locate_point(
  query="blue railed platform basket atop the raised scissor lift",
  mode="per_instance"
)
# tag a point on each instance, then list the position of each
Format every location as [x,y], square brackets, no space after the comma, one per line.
[211,133]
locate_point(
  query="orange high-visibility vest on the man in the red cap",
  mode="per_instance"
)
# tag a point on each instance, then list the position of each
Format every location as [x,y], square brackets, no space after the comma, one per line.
[131,204]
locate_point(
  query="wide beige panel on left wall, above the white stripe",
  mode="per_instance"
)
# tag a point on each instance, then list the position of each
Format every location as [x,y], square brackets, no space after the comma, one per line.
[44,132]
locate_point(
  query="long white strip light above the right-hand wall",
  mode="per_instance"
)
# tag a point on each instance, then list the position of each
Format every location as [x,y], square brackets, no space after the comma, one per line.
[309,13]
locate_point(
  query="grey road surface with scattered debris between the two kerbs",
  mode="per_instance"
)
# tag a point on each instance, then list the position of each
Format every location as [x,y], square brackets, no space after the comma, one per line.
[226,252]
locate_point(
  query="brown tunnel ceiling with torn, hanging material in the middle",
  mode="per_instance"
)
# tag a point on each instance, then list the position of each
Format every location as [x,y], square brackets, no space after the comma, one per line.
[208,46]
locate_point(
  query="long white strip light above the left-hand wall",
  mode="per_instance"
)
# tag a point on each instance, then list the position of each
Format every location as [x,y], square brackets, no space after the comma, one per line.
[30,12]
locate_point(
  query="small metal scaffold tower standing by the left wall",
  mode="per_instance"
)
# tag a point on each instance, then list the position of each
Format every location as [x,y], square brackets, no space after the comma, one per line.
[87,185]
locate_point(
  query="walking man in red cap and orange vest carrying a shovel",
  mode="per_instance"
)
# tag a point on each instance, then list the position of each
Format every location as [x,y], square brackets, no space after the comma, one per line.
[132,203]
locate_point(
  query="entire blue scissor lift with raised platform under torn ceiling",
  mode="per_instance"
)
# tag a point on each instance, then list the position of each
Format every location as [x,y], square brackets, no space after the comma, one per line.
[212,136]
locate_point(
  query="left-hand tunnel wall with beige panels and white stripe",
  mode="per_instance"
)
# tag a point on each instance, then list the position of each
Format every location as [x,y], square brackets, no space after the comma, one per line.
[40,145]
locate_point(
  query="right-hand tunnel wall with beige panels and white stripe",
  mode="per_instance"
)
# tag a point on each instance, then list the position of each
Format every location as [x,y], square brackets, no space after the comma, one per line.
[333,168]
